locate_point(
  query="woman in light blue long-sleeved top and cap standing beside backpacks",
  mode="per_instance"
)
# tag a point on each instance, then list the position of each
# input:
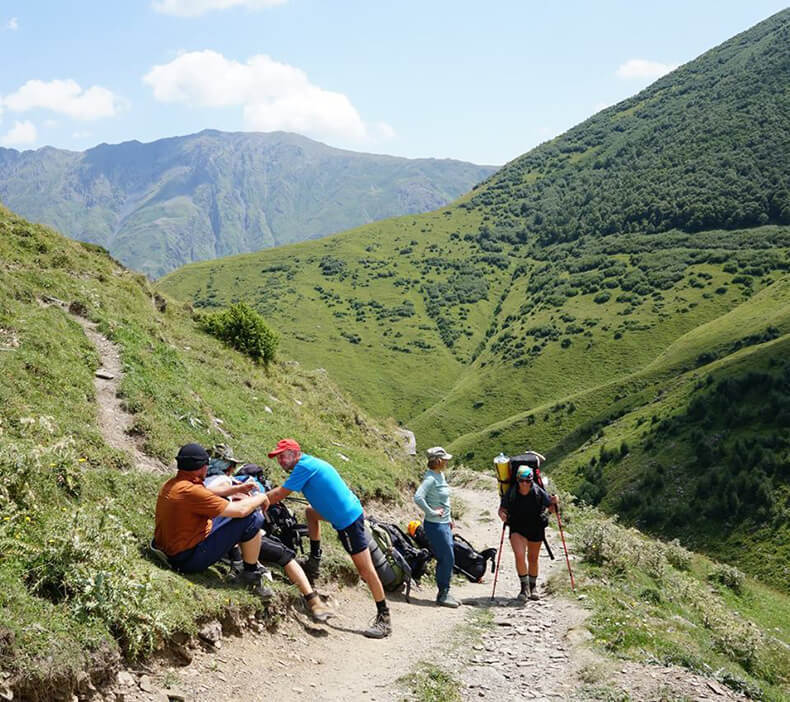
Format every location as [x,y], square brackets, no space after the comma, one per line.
[433,498]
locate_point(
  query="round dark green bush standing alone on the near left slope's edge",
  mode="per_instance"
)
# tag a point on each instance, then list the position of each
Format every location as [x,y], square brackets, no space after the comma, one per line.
[243,329]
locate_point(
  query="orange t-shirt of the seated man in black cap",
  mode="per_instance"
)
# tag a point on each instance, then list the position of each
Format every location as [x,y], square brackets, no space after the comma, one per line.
[184,510]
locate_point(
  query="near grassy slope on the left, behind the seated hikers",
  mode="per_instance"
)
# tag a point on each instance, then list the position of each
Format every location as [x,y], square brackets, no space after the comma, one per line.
[75,588]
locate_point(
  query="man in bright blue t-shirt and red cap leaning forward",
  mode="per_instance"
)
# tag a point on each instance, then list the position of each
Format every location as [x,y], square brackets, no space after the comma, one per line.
[331,501]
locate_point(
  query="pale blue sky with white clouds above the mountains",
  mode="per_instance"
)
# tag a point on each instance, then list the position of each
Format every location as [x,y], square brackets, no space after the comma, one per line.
[483,82]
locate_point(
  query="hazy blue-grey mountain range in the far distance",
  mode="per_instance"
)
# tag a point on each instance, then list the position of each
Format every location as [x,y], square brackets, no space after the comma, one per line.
[160,205]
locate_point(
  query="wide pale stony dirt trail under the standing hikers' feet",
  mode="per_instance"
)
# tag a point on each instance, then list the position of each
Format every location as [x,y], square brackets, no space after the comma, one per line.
[494,649]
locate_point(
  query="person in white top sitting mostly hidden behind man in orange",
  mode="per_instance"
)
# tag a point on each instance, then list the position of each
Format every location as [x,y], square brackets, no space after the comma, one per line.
[220,480]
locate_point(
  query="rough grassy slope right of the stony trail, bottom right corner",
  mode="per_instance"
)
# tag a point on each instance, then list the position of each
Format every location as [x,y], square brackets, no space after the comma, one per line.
[643,606]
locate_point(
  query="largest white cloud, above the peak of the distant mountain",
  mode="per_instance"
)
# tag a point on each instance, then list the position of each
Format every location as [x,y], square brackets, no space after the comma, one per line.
[272,95]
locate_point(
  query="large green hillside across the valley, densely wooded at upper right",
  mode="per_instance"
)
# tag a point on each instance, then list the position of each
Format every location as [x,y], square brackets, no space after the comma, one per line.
[573,287]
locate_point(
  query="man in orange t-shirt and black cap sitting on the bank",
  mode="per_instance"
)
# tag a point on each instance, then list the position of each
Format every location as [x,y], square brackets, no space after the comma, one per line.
[195,527]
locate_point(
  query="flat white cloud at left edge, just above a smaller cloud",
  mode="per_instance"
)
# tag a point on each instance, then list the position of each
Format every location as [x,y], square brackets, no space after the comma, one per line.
[65,97]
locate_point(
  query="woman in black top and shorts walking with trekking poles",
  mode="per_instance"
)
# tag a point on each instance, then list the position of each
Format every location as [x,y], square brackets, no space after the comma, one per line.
[523,508]
